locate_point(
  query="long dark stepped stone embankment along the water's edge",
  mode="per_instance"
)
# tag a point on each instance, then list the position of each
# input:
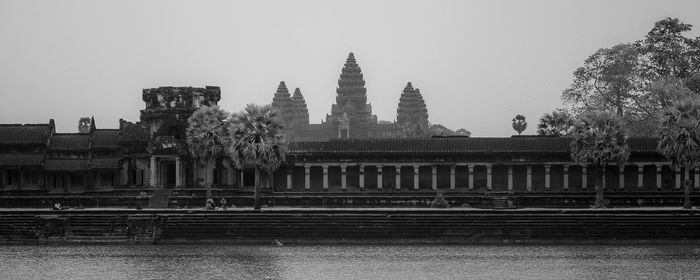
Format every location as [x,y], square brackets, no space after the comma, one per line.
[355,226]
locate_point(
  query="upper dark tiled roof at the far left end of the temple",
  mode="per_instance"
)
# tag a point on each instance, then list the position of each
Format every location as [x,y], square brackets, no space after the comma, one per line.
[28,134]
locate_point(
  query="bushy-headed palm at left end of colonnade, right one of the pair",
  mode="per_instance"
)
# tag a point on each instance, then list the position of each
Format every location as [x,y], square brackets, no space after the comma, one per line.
[257,140]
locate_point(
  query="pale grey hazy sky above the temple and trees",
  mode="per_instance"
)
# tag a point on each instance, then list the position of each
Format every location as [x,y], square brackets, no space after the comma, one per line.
[477,63]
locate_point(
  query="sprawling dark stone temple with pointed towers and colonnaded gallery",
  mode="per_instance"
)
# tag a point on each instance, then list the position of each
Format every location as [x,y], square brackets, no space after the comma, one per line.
[350,155]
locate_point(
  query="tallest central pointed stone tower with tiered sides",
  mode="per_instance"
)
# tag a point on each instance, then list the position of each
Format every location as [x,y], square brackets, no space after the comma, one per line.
[351,113]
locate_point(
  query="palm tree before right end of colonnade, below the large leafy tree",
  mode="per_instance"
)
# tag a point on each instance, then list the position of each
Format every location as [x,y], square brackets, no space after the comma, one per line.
[599,139]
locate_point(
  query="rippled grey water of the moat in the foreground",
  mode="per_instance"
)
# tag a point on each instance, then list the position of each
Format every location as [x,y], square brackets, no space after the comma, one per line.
[349,262]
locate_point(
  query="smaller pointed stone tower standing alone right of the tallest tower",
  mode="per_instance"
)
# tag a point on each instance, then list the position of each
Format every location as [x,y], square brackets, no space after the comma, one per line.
[411,109]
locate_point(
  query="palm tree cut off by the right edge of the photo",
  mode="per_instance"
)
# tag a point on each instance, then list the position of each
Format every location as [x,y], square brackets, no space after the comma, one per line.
[680,139]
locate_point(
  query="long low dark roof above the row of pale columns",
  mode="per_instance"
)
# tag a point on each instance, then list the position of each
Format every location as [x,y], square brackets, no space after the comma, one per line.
[454,145]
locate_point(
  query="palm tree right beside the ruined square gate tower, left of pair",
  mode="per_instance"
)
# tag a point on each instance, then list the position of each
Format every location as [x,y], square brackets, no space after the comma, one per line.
[206,138]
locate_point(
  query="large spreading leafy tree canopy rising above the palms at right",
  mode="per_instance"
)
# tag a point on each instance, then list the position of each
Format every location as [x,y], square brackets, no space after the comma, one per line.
[636,80]
